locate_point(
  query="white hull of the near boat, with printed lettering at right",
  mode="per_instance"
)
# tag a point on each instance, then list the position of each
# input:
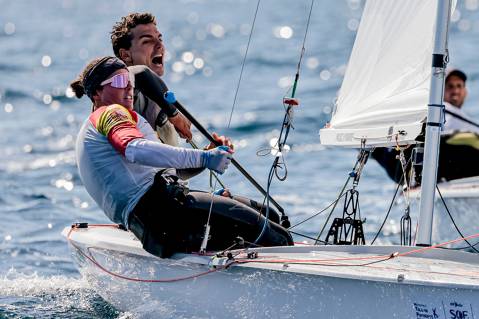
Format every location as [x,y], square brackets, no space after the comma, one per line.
[277,290]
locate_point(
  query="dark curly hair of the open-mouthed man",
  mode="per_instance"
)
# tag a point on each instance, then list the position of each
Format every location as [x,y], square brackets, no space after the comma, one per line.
[121,33]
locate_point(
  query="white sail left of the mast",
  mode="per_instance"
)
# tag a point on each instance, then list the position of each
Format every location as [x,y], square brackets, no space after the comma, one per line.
[384,96]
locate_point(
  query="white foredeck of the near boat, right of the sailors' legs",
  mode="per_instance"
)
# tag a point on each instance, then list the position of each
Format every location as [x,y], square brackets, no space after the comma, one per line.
[429,266]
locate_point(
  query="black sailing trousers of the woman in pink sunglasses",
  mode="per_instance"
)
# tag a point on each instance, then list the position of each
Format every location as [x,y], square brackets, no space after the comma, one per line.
[170,219]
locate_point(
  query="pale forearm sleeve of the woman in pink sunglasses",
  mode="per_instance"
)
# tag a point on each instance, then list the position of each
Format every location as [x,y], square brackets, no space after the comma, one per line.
[156,154]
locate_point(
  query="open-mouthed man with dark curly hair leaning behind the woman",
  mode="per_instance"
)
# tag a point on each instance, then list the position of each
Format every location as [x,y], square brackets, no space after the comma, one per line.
[137,41]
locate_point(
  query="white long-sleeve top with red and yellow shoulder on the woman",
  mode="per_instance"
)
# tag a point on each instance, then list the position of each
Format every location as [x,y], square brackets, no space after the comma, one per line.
[119,155]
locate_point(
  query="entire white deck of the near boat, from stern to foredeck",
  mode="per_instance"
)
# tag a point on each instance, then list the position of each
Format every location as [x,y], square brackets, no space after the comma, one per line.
[432,267]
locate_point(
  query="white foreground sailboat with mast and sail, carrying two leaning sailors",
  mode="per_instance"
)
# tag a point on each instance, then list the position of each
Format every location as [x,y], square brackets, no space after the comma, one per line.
[383,101]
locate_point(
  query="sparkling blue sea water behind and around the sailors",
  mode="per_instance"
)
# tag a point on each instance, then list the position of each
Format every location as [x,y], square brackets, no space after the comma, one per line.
[44,45]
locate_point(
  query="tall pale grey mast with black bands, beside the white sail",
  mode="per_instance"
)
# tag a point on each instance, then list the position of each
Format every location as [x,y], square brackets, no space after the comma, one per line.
[434,123]
